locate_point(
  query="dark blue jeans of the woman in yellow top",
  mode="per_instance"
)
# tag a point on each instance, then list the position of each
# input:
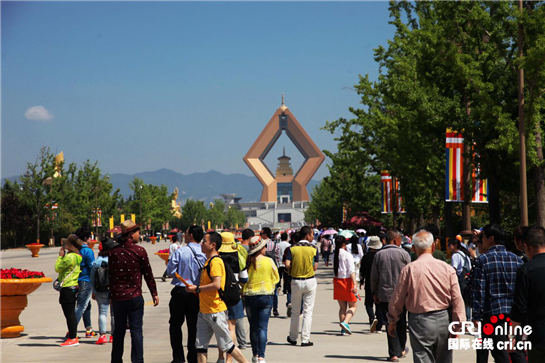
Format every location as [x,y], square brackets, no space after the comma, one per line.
[258,309]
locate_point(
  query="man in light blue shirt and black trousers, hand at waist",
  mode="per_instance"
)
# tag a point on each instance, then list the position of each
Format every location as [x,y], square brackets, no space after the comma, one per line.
[187,261]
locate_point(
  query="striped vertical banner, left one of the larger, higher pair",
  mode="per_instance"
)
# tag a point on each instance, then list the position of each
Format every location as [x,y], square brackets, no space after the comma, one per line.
[454,186]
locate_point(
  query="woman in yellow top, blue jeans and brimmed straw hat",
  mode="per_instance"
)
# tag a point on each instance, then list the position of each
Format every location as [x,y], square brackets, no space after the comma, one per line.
[258,293]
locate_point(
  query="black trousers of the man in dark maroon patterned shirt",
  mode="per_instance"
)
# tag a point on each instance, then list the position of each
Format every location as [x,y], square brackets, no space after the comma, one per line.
[132,309]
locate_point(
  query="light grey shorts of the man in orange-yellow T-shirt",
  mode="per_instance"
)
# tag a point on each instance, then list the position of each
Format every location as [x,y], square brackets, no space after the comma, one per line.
[213,324]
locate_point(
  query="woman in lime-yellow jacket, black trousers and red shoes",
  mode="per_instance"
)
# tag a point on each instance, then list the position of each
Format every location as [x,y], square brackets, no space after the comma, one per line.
[68,267]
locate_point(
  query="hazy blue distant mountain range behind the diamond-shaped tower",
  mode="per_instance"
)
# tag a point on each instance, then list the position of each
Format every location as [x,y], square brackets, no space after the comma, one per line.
[197,186]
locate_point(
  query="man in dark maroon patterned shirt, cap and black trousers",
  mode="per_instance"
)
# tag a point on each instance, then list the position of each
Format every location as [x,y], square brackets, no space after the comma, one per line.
[128,262]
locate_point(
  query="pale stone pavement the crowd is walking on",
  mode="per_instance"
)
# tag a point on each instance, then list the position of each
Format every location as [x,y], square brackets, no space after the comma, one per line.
[45,325]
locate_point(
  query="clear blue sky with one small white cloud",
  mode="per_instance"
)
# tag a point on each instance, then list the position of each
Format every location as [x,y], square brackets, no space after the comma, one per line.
[187,86]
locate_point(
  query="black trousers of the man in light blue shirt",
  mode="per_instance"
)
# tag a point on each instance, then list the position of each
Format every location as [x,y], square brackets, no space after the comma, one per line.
[183,306]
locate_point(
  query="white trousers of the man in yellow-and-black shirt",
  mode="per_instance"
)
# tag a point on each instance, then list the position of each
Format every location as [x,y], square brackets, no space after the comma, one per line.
[304,293]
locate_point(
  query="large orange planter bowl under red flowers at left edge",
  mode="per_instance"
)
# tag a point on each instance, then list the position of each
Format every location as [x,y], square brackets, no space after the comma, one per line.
[14,301]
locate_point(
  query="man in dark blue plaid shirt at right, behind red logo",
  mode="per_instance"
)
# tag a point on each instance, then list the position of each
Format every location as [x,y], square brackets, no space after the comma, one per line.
[493,291]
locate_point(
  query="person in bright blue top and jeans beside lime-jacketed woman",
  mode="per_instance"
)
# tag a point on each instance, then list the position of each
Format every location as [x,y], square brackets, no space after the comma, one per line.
[83,307]
